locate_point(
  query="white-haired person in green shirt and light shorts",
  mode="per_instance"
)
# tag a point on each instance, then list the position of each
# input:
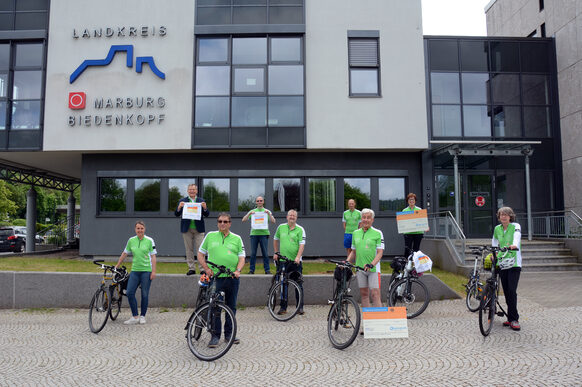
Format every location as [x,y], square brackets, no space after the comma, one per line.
[367,249]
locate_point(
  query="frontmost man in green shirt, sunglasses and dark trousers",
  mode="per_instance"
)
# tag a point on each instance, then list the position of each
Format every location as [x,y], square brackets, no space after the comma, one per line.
[223,248]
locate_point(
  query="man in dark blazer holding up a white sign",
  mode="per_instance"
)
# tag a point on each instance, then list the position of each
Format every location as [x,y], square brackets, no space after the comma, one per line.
[192,209]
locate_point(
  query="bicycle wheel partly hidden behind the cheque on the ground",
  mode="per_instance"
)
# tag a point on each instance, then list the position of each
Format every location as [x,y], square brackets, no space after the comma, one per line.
[410,293]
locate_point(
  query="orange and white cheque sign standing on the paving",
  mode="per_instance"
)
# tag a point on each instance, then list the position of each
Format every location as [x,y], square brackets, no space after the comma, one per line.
[385,323]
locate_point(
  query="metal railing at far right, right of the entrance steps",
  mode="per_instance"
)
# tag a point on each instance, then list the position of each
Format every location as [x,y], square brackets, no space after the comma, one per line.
[553,224]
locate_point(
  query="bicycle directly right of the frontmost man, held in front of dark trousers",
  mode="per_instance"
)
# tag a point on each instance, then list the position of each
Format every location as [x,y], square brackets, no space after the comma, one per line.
[279,290]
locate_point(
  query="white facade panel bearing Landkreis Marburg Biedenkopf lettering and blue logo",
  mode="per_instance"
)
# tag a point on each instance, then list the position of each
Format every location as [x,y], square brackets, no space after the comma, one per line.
[173,54]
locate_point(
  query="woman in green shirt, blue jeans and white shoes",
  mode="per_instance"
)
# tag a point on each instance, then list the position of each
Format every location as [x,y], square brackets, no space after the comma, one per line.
[143,271]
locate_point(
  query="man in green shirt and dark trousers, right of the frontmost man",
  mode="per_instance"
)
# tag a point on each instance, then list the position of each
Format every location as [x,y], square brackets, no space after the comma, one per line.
[291,238]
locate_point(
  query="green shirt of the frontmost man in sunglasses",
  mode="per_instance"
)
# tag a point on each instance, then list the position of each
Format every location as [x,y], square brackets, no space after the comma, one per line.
[222,250]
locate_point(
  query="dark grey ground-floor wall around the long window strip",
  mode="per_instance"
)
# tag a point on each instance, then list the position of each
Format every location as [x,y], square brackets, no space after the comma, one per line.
[107,234]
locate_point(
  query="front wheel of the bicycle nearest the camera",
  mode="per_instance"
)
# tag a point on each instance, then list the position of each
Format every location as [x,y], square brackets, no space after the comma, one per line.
[206,324]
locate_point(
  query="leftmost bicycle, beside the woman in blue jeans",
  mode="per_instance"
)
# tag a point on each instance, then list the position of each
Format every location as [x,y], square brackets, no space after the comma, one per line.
[106,302]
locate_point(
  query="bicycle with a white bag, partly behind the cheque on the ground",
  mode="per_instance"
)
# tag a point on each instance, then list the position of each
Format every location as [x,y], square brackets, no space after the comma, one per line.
[406,289]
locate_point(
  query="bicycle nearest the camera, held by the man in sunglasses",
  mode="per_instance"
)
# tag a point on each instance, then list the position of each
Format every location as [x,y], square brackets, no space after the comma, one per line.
[205,323]
